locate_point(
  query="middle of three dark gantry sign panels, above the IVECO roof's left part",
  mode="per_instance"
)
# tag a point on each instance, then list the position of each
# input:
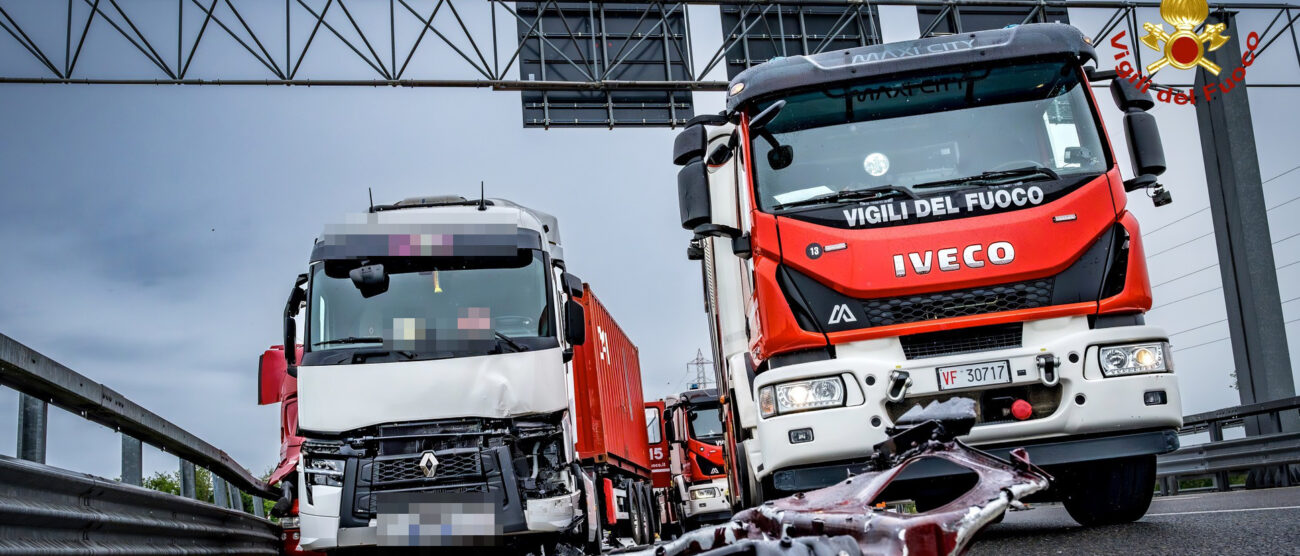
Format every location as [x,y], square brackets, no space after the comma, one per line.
[757,33]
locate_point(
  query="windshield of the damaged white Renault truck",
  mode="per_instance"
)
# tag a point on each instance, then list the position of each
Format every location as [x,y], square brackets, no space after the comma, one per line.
[434,309]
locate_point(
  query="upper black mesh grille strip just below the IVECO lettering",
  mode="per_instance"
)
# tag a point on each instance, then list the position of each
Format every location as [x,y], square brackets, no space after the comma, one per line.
[959,303]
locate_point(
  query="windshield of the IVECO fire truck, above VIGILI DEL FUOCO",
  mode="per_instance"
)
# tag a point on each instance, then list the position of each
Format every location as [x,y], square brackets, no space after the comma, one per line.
[929,134]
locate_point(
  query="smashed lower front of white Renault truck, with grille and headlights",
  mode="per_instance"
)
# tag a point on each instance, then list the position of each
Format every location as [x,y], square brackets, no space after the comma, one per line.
[517,467]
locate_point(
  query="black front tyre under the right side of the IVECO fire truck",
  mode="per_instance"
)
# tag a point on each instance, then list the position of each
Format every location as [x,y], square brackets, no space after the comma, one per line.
[1111,492]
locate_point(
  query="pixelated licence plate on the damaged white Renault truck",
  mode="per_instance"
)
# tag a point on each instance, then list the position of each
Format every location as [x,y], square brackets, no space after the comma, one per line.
[437,520]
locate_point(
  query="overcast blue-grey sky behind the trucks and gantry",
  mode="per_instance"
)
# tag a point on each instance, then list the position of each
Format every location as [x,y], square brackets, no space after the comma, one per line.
[153,233]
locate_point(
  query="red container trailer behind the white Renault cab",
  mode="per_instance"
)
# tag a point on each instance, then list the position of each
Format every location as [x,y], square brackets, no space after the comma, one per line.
[610,422]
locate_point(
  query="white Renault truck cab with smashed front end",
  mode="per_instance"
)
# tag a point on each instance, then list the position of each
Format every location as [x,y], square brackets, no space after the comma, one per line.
[434,390]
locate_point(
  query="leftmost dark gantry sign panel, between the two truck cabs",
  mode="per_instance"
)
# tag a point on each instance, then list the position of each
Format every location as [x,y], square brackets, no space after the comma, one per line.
[593,42]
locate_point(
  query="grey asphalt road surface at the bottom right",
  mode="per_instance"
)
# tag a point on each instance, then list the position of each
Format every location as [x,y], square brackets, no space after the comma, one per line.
[1240,523]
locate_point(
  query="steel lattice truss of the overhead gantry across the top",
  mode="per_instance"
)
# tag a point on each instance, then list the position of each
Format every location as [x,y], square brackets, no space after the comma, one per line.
[470,44]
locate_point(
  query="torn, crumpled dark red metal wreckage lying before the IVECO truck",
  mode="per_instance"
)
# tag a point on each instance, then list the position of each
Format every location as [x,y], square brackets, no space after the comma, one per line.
[846,519]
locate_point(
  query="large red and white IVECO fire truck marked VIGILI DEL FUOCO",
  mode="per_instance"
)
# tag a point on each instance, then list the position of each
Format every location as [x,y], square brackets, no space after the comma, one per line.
[892,225]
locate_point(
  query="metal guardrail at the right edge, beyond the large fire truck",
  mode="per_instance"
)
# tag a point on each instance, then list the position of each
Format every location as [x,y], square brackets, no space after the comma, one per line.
[1220,457]
